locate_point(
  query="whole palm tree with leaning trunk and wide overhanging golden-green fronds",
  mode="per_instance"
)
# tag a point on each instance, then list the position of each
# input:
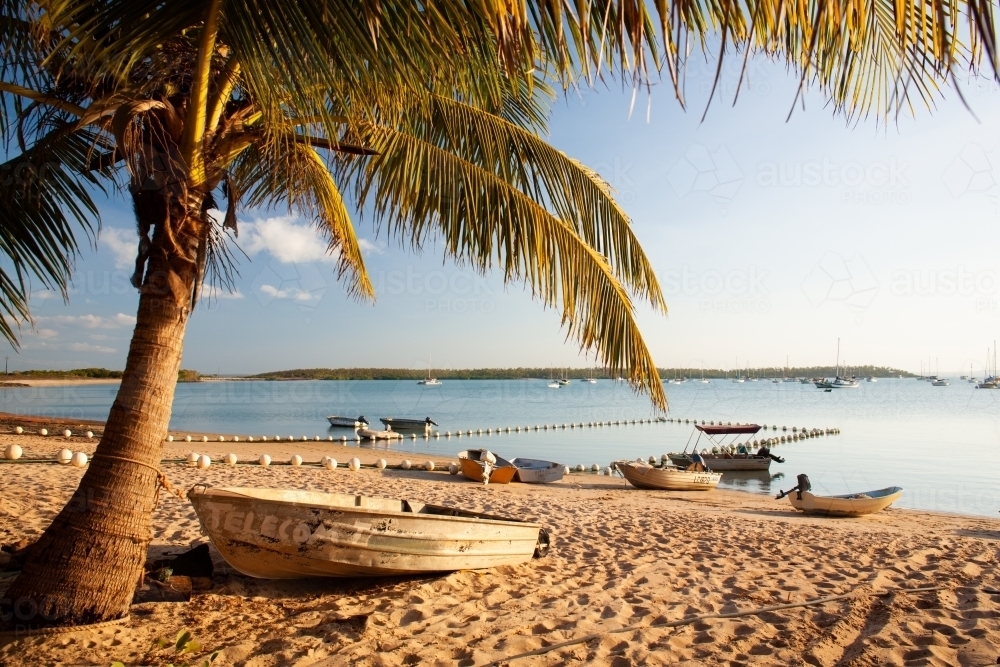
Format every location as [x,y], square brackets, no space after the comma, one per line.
[430,111]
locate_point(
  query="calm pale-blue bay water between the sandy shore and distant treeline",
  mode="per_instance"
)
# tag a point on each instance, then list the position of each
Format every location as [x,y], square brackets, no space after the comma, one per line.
[942,444]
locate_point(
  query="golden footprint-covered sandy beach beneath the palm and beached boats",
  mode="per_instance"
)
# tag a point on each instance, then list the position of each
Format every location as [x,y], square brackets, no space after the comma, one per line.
[620,557]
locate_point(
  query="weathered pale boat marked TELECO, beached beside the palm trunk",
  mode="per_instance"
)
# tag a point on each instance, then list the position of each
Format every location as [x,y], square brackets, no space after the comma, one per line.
[288,534]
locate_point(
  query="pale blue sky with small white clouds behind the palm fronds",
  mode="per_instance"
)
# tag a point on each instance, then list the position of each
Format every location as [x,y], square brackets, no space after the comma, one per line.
[771,239]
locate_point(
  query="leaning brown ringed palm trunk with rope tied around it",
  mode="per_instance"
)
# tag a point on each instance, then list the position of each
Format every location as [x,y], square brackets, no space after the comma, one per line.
[85,567]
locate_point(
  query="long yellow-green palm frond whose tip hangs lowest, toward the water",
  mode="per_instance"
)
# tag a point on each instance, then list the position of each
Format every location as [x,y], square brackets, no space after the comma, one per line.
[423,192]
